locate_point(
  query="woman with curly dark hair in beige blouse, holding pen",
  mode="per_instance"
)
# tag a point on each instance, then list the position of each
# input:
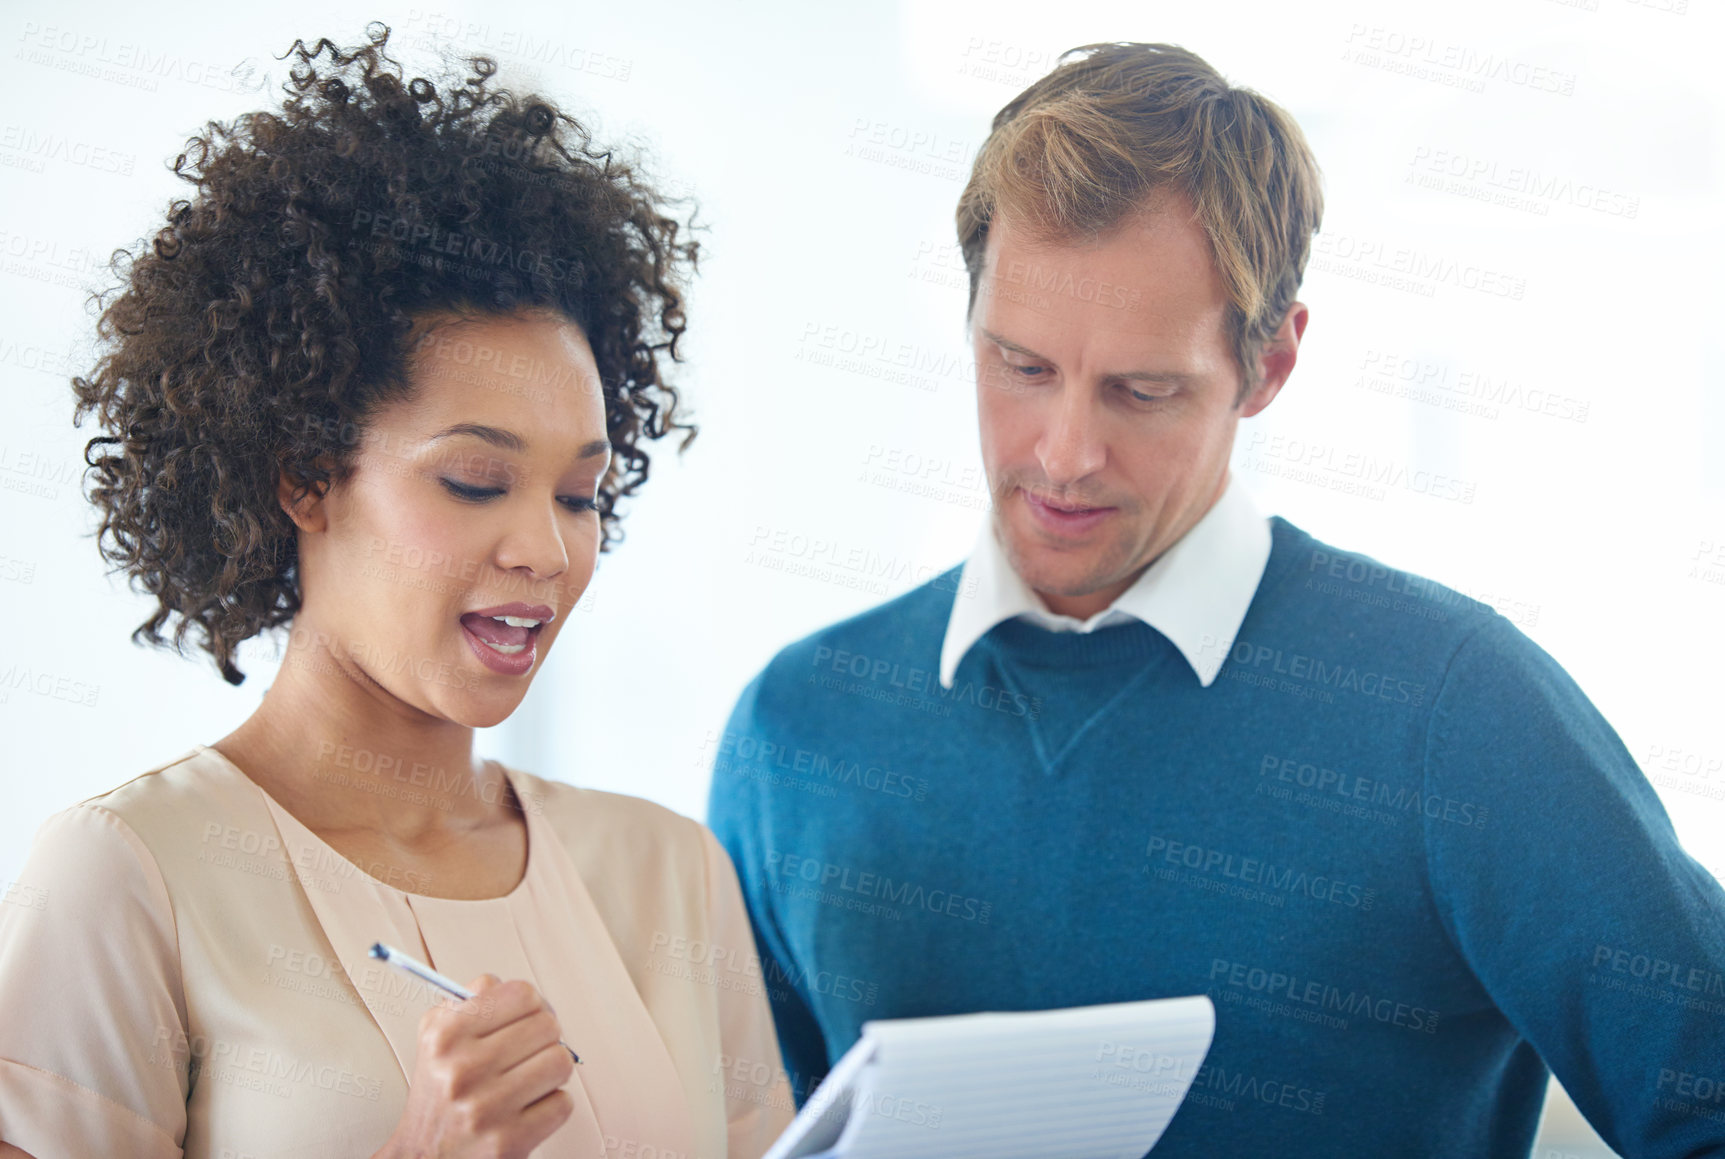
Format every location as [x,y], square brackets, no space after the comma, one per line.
[382,379]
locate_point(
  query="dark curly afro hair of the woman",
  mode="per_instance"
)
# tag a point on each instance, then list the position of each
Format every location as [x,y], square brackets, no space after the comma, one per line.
[261,327]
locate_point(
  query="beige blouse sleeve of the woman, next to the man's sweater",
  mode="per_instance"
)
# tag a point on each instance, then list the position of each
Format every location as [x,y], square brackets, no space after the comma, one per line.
[758,1105]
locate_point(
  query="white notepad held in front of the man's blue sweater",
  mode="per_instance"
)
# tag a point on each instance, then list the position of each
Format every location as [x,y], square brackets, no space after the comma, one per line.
[1089,1082]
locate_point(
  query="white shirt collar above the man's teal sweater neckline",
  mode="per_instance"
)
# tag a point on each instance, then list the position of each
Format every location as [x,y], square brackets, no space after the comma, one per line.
[1196,592]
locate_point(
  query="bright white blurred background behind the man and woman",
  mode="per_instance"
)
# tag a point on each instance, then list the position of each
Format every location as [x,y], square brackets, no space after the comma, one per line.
[1567,151]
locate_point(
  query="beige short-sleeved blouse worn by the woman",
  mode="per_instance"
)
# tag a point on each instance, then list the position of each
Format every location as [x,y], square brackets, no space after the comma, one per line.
[184,972]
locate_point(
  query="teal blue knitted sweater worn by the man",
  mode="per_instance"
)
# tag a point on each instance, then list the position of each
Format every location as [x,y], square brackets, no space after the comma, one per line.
[1395,843]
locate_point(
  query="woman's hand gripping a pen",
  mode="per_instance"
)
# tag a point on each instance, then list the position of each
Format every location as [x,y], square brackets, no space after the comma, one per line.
[487,1082]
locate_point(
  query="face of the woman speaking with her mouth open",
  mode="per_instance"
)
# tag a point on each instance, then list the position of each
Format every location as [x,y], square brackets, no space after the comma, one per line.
[470,503]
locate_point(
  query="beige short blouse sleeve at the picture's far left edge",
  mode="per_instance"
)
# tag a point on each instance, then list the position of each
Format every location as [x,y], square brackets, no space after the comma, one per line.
[92,1012]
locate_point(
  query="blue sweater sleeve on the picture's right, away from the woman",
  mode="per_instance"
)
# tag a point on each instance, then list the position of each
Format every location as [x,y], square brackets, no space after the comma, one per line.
[1572,899]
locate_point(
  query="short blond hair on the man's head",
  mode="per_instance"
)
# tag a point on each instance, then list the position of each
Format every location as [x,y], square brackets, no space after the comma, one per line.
[1117,125]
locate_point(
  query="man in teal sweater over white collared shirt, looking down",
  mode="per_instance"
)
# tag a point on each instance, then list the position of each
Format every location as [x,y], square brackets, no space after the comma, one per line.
[1150,744]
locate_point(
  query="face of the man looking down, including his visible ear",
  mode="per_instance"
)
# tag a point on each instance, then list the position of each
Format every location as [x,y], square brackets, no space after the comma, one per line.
[1107,398]
